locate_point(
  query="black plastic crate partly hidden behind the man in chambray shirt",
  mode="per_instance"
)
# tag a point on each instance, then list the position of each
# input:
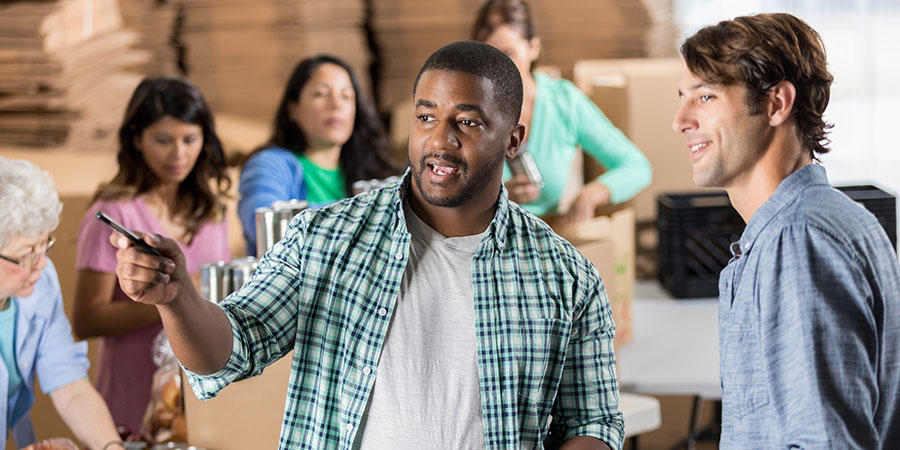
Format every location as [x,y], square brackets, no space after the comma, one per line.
[696,230]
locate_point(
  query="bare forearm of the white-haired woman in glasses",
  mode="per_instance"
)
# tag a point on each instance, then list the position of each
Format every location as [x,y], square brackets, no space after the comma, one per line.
[85,413]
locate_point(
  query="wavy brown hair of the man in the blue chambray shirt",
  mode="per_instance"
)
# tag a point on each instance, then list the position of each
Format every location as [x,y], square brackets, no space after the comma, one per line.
[760,51]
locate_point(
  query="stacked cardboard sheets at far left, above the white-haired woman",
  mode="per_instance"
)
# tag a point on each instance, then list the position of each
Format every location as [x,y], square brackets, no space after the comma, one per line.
[63,73]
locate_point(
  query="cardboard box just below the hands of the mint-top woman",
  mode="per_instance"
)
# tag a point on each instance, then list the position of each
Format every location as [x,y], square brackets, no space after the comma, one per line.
[608,242]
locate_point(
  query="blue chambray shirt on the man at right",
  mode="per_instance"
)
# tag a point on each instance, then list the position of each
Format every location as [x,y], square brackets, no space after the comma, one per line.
[809,325]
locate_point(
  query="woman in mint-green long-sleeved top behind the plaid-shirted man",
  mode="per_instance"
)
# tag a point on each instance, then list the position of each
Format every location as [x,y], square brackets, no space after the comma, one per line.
[559,118]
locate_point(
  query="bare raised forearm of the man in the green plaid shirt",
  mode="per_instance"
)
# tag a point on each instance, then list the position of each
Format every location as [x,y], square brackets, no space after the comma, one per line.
[199,331]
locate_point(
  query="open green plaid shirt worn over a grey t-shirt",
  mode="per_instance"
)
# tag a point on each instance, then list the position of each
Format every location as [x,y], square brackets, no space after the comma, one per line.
[328,289]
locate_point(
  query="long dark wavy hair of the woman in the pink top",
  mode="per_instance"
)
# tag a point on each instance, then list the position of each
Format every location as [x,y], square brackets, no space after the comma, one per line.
[154,98]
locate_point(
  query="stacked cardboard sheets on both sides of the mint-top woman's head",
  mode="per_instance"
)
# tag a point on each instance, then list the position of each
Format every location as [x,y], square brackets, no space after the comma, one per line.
[406,33]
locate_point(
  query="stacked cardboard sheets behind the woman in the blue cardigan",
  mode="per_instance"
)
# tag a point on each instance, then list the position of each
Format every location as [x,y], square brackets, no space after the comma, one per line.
[241,53]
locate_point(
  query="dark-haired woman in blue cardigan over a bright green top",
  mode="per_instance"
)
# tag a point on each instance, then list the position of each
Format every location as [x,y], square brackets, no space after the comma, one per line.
[326,136]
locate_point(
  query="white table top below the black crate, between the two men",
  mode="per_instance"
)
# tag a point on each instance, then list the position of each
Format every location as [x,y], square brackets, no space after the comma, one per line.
[675,350]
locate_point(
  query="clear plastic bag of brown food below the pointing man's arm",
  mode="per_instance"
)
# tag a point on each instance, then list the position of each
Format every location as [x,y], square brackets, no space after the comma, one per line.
[164,419]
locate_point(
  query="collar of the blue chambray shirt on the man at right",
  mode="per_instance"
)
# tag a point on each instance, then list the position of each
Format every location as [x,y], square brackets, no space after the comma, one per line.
[785,194]
